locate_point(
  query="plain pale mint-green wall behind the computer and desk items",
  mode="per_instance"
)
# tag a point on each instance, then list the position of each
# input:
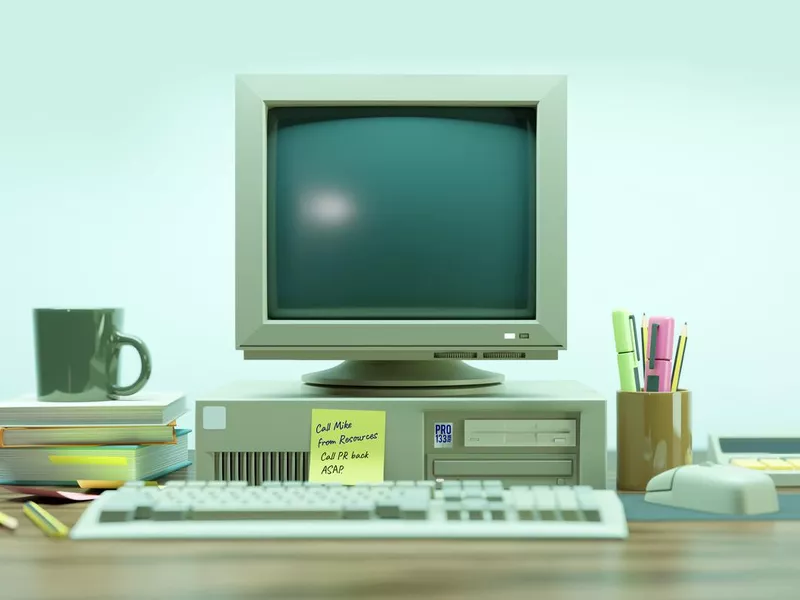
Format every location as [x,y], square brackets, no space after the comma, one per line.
[116,169]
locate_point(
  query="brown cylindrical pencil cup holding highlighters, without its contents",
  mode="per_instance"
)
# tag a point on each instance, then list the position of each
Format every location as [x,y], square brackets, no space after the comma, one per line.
[654,434]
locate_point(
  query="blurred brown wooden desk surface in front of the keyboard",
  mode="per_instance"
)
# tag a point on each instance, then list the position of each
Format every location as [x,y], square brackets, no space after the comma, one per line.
[669,561]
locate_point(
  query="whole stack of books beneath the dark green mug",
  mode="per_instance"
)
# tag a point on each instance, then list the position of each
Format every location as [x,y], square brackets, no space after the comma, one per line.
[60,443]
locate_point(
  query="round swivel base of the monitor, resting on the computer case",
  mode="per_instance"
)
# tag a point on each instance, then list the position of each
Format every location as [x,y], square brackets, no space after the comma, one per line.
[403,374]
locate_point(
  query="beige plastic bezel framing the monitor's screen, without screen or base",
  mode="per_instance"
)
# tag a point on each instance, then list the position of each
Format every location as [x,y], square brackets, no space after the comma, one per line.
[263,337]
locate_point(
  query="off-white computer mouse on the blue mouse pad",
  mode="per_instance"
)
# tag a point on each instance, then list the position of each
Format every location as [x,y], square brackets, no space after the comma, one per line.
[712,488]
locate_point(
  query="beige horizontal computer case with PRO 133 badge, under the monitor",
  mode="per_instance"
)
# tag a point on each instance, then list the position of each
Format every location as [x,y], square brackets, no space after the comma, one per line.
[550,433]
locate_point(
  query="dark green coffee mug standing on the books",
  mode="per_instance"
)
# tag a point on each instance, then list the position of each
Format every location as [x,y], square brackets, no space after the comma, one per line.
[77,354]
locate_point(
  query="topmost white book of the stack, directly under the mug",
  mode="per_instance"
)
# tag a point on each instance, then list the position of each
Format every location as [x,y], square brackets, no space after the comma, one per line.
[144,408]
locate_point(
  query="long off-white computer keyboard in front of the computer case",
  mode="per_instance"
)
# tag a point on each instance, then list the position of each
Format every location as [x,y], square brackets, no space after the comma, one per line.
[401,509]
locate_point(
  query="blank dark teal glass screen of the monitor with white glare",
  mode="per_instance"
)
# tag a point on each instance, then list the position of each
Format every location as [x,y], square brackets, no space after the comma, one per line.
[401,213]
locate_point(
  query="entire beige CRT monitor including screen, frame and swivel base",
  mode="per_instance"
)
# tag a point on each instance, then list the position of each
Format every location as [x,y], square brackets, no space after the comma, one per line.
[401,224]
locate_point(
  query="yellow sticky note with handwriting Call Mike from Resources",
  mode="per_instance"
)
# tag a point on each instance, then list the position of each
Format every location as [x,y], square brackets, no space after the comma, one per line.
[347,446]
